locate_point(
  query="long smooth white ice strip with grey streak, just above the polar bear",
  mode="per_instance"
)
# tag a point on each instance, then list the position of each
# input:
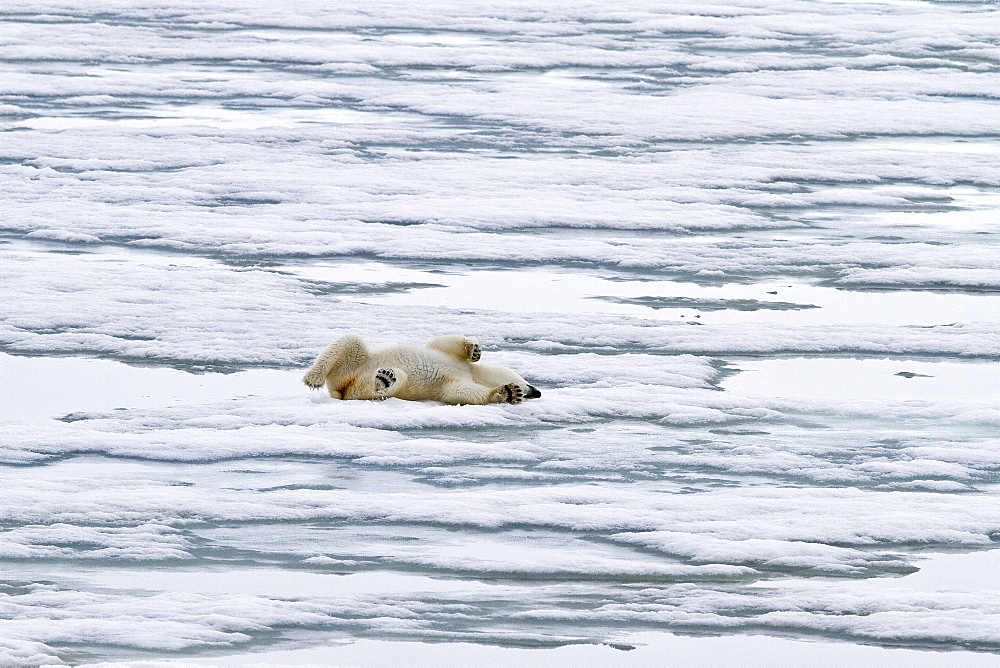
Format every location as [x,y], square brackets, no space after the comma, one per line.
[567,291]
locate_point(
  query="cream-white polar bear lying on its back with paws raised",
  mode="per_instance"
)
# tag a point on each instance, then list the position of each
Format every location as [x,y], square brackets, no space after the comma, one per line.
[444,369]
